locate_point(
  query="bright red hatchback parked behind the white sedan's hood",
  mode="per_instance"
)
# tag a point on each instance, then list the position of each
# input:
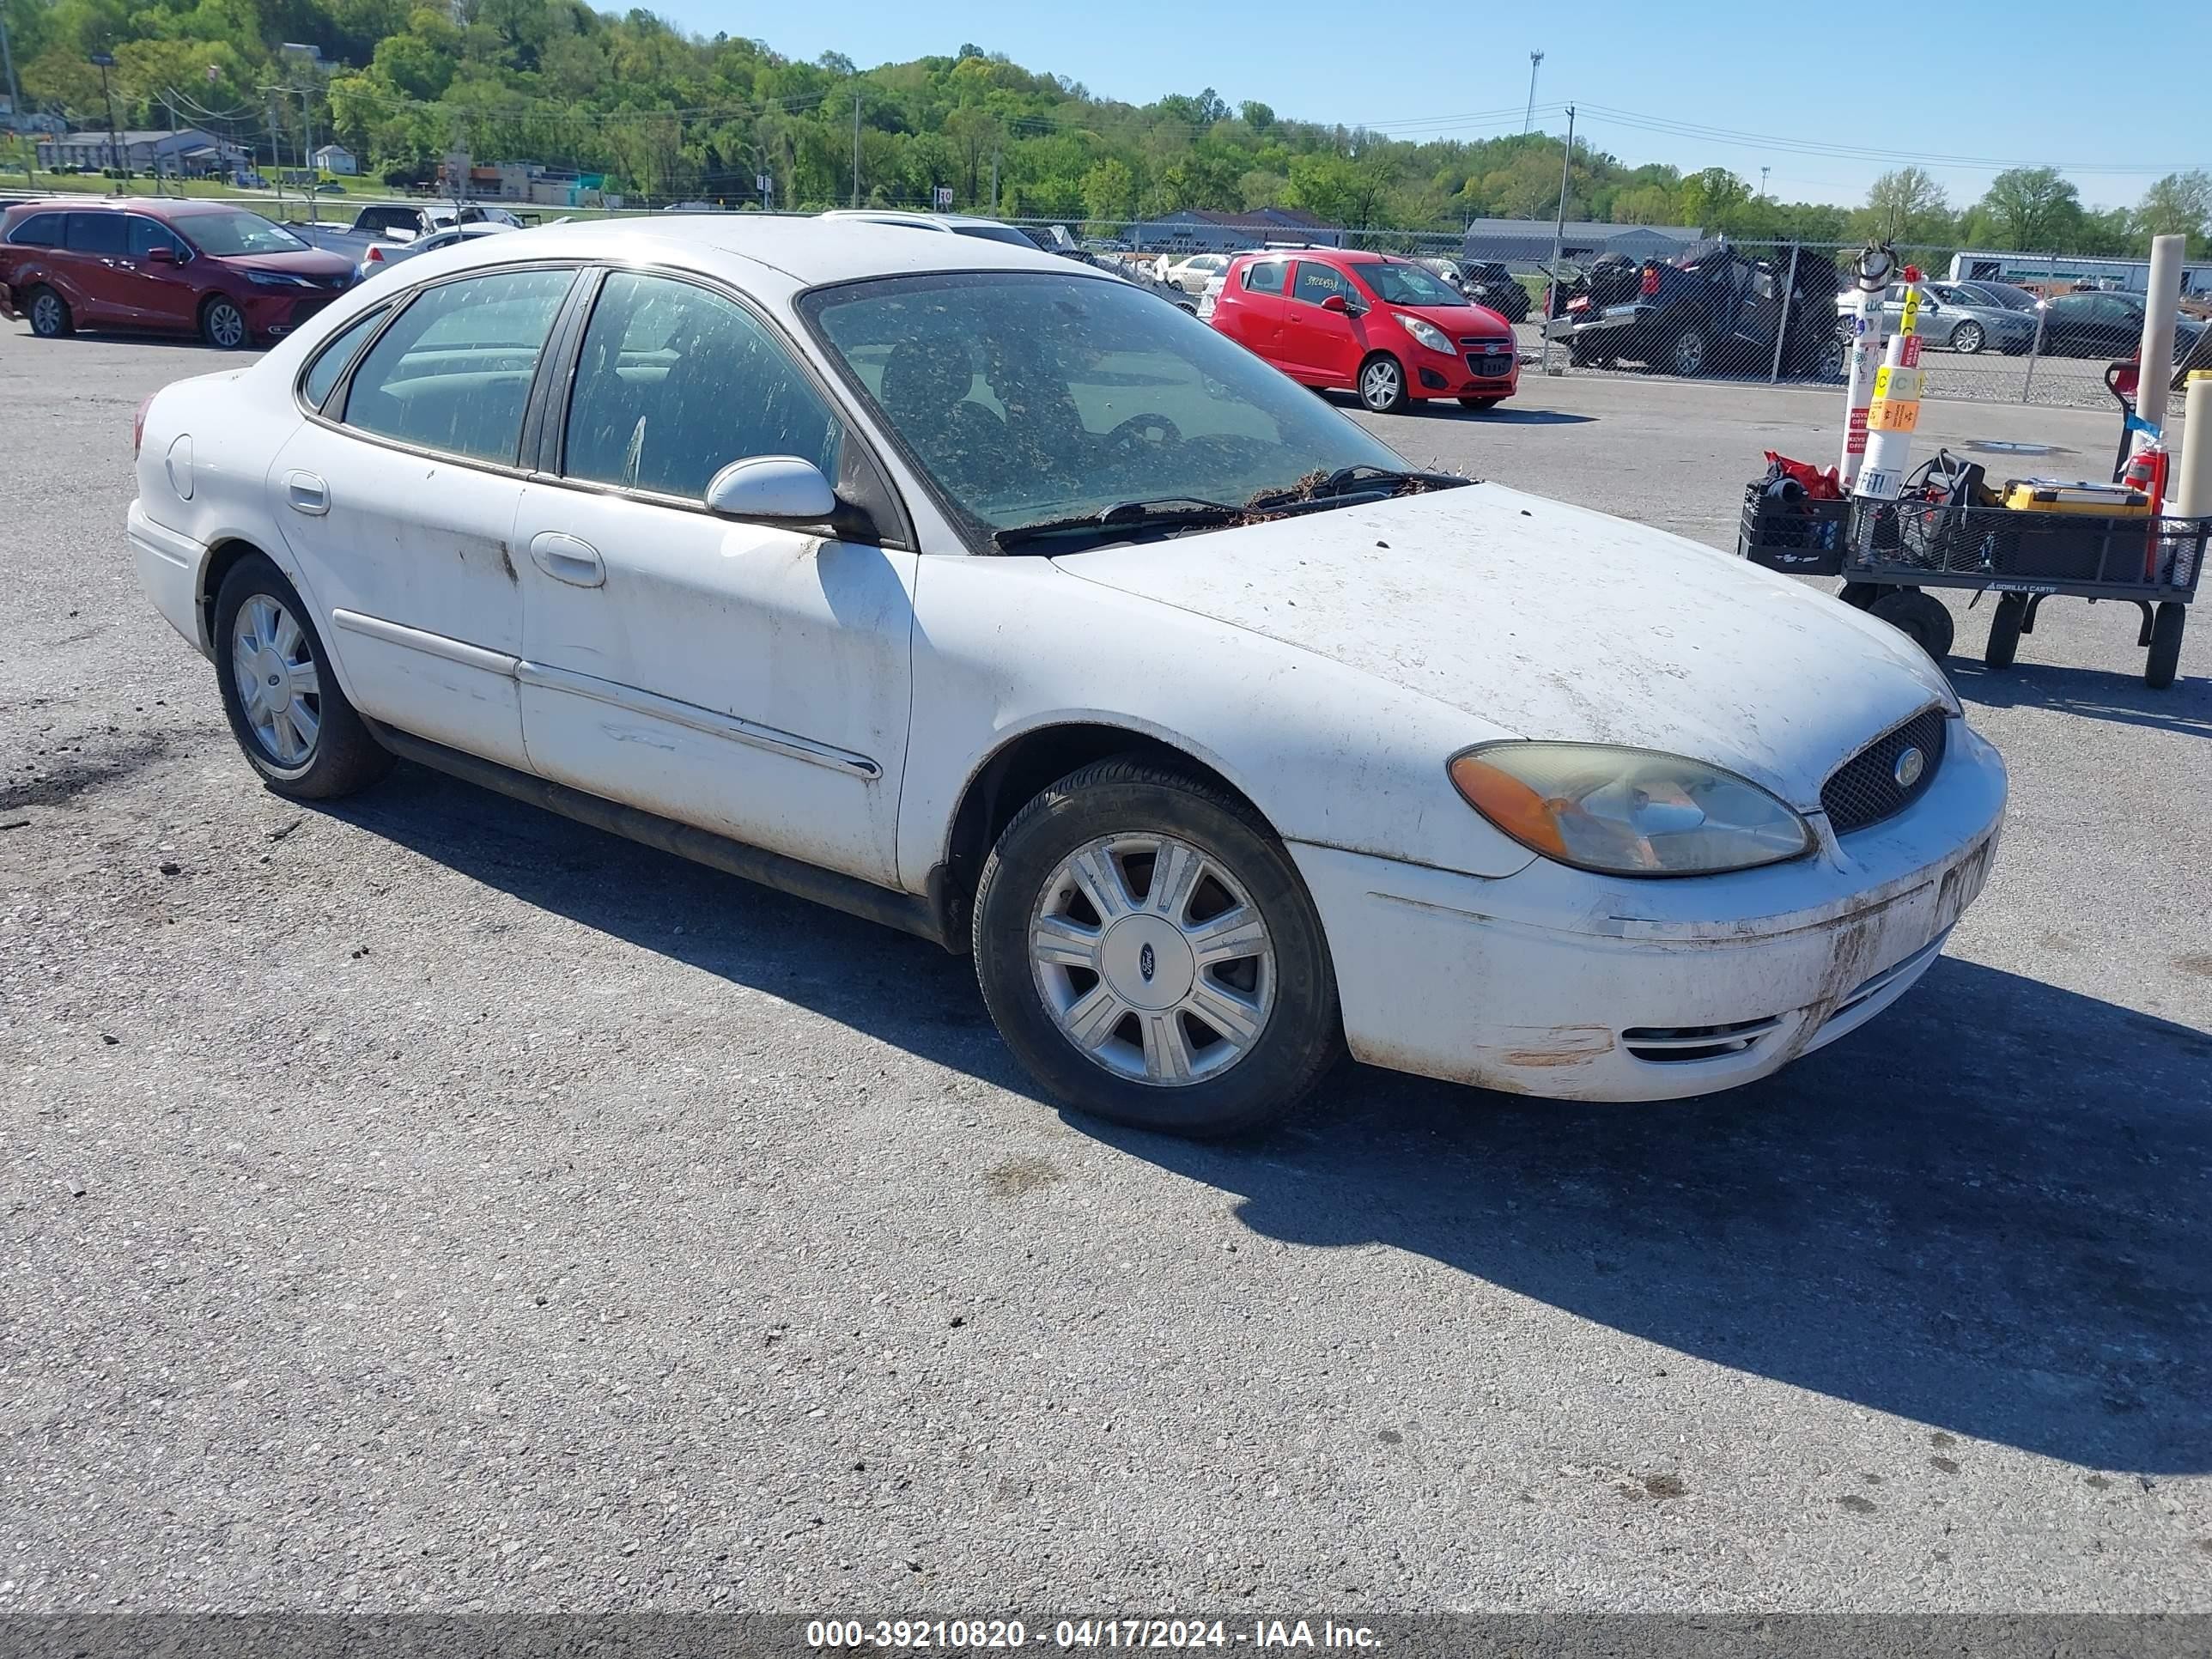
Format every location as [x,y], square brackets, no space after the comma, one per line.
[1368,324]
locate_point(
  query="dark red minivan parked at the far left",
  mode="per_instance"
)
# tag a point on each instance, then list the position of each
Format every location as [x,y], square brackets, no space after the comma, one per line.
[174,267]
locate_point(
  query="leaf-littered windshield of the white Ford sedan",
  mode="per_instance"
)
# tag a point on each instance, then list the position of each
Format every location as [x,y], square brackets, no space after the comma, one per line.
[1030,397]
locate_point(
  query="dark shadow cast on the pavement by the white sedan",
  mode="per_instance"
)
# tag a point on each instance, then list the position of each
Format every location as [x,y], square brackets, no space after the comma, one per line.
[1983,1213]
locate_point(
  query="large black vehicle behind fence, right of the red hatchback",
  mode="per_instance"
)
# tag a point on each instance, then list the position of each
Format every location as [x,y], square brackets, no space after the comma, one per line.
[1713,313]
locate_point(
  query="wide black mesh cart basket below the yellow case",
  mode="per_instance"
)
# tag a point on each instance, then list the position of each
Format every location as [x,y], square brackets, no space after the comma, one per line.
[2005,547]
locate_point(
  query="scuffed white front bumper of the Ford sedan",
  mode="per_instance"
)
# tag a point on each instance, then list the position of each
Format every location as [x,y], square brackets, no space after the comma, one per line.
[1587,988]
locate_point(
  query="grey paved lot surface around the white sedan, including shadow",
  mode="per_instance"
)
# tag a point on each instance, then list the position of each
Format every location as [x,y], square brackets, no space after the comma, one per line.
[430,1204]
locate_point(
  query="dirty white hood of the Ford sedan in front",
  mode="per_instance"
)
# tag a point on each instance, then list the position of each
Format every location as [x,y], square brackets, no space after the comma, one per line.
[1552,623]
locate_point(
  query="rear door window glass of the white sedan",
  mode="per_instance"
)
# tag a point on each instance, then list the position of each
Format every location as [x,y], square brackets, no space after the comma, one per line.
[455,371]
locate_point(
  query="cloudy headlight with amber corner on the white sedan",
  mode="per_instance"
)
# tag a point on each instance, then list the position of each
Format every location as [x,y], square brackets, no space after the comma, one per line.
[1627,813]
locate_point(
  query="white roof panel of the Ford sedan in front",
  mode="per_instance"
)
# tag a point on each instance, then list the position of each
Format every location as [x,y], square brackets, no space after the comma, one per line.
[804,253]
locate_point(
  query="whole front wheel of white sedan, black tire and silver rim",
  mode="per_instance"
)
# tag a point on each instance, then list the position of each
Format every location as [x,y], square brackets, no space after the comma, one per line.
[1158,1065]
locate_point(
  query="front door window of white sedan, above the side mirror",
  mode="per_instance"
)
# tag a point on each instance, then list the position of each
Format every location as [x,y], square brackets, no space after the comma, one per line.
[676,384]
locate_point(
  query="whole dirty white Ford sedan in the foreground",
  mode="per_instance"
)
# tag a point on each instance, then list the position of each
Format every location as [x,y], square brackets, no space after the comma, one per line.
[997,601]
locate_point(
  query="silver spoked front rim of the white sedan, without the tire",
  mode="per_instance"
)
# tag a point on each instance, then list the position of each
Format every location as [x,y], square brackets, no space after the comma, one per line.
[1154,959]
